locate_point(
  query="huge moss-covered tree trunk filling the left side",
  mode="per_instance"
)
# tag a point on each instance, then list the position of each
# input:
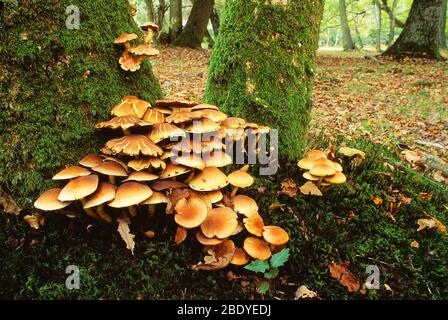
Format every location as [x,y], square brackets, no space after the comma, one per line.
[59,82]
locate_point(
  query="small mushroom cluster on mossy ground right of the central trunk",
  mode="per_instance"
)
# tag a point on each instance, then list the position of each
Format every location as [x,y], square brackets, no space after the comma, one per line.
[321,172]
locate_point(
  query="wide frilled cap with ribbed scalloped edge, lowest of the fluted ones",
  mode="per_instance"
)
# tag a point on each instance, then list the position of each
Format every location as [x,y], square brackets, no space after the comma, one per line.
[133,145]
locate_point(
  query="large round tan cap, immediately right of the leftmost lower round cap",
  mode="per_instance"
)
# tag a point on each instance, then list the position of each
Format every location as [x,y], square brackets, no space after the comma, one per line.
[220,223]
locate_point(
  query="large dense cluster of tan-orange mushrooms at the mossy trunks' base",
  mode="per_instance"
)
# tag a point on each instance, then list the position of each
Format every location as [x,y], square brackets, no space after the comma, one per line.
[173,155]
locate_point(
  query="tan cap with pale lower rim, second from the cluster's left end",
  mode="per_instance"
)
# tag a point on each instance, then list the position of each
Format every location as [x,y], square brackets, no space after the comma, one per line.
[79,188]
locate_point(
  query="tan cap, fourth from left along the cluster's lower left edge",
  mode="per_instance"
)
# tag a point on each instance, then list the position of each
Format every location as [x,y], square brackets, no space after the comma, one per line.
[130,194]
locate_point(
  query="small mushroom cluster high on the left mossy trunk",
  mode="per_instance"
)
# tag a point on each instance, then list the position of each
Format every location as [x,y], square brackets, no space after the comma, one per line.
[132,57]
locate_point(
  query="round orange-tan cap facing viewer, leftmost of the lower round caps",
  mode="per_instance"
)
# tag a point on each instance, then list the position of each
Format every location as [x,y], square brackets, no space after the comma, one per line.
[190,213]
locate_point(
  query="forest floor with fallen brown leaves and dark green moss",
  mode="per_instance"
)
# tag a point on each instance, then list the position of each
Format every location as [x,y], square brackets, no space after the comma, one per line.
[370,221]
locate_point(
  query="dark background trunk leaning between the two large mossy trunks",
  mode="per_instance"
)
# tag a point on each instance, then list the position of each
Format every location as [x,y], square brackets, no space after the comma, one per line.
[196,28]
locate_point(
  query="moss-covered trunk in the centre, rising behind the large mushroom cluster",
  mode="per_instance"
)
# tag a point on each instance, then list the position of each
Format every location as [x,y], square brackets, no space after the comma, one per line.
[262,66]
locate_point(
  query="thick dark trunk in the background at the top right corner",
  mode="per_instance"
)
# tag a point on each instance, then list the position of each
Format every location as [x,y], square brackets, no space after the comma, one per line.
[420,34]
